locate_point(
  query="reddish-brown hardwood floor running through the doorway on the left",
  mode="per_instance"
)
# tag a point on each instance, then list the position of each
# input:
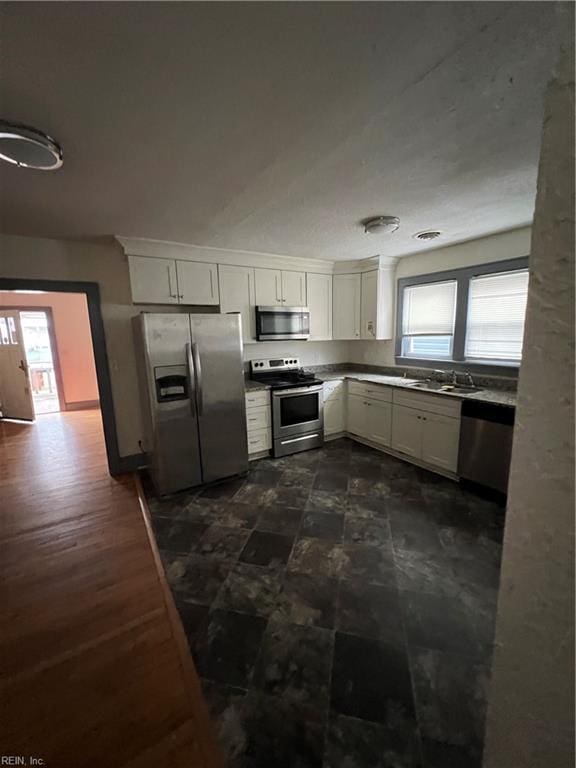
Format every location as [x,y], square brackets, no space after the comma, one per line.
[95,670]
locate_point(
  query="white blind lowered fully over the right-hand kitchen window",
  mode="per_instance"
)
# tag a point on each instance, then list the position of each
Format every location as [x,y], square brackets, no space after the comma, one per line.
[496,310]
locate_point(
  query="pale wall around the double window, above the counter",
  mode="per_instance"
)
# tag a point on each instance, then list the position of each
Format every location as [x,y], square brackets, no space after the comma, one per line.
[499,247]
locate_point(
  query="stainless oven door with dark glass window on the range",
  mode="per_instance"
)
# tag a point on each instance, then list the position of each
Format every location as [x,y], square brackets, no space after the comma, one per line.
[297,411]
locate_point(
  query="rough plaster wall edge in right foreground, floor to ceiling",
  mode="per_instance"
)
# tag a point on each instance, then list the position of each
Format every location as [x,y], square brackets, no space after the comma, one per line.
[530,721]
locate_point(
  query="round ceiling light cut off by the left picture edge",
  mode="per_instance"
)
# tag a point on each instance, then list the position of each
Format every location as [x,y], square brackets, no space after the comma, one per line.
[28,147]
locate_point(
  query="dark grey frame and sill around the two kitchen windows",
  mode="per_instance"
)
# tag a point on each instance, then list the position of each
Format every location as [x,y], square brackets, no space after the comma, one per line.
[462,276]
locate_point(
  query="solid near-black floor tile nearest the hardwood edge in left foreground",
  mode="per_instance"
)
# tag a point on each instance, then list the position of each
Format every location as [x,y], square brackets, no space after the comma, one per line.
[227,648]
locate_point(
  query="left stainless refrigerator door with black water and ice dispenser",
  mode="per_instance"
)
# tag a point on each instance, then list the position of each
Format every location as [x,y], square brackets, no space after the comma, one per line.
[175,449]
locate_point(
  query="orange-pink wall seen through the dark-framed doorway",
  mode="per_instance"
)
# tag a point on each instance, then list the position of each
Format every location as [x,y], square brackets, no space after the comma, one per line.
[73,337]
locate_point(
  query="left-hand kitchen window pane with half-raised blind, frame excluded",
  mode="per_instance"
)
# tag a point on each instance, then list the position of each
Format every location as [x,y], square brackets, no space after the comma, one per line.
[428,320]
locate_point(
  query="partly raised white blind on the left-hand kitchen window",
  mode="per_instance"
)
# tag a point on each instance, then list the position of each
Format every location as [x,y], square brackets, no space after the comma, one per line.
[429,310]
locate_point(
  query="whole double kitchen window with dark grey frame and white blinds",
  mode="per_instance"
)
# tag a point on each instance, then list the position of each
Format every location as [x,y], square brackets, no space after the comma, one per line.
[469,316]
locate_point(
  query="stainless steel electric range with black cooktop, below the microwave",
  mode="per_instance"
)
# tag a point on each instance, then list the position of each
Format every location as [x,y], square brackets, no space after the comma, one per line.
[297,404]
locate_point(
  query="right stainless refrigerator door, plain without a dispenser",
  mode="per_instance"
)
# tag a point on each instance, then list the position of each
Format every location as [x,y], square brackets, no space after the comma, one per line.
[218,361]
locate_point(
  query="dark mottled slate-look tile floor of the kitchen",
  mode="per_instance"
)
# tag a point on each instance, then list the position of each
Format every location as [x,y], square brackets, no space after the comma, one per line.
[340,608]
